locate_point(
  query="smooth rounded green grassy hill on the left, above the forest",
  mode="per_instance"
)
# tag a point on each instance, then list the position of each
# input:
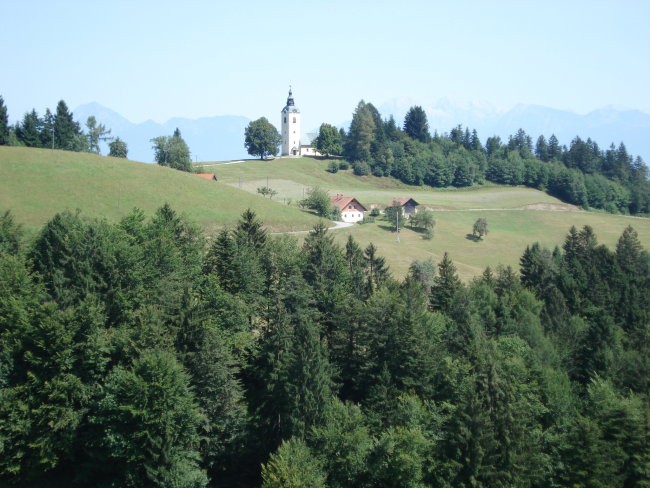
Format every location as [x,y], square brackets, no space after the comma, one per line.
[37,183]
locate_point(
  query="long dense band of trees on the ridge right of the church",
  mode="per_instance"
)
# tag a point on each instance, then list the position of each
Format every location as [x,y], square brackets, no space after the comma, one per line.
[581,174]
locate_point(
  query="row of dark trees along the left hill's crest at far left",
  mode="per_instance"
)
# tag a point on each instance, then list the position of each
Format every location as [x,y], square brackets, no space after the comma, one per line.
[58,130]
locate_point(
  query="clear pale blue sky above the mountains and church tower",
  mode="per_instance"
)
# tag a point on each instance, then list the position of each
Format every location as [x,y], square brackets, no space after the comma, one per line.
[162,59]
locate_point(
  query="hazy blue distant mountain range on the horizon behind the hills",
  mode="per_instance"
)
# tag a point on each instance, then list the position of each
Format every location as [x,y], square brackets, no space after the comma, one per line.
[222,137]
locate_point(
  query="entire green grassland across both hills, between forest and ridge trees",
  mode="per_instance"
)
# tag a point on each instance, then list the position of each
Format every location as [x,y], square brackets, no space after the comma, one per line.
[35,184]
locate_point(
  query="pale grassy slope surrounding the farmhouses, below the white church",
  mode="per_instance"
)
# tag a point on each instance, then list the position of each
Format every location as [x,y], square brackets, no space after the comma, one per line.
[516,216]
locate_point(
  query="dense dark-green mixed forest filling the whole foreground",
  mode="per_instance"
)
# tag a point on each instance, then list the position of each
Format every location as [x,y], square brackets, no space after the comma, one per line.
[142,353]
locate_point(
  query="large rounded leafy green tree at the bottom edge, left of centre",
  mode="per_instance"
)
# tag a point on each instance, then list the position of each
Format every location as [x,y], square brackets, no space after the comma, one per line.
[149,419]
